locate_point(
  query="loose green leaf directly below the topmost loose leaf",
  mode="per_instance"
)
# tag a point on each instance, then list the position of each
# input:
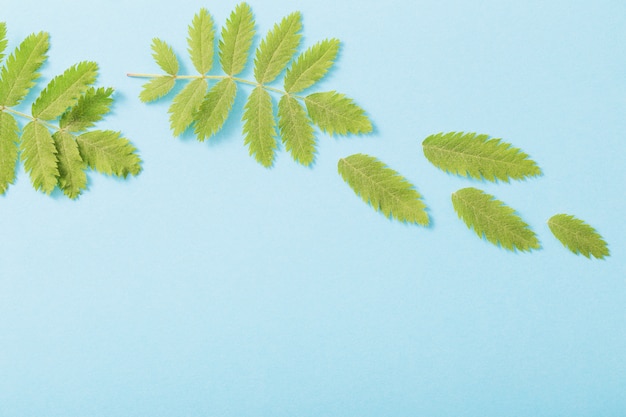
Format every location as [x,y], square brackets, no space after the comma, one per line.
[494,220]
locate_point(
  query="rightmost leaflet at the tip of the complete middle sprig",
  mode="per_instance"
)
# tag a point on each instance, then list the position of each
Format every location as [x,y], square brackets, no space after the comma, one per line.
[335,113]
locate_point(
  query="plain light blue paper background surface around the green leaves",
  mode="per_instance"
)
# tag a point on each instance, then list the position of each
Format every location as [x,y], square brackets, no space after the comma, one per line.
[210,286]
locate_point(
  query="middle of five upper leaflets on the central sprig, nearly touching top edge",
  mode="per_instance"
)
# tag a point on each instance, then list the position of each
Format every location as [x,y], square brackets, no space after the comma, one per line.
[236,40]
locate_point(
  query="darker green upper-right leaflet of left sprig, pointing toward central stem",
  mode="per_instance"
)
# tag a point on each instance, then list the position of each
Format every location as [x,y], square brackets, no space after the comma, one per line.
[89,109]
